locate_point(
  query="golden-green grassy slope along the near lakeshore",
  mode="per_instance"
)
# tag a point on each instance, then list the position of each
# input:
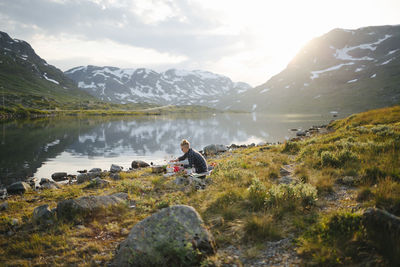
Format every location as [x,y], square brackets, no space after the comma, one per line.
[243,206]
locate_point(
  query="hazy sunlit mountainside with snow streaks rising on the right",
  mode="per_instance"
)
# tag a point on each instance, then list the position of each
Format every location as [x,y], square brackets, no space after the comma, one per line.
[344,71]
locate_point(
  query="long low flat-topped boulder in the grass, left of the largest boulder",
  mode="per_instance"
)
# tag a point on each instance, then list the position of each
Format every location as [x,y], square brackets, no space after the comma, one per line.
[88,206]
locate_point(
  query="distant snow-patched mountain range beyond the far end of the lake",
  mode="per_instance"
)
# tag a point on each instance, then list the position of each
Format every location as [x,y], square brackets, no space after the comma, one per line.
[176,87]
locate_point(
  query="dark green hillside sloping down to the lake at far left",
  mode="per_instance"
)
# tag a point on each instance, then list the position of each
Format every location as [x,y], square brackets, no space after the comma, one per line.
[27,79]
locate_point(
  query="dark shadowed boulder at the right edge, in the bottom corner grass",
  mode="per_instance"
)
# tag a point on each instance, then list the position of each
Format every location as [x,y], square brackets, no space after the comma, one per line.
[383,229]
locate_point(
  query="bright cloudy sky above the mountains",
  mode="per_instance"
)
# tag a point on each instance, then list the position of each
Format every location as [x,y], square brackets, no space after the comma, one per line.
[246,40]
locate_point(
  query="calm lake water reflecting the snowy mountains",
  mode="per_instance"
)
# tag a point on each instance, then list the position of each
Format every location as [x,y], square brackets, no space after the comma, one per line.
[41,147]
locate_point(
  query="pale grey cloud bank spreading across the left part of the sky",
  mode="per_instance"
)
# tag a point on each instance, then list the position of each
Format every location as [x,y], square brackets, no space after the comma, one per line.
[174,27]
